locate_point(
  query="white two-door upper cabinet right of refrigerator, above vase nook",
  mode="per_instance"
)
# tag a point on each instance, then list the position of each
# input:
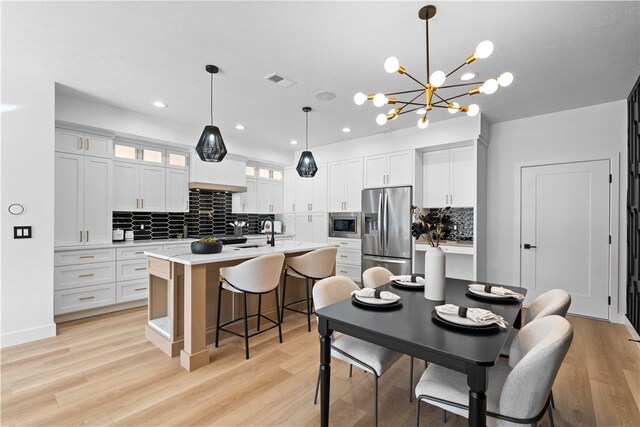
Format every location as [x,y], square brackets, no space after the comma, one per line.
[449,178]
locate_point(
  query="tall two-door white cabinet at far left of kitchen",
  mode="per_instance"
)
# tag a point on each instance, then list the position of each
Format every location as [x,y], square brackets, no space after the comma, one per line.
[83,200]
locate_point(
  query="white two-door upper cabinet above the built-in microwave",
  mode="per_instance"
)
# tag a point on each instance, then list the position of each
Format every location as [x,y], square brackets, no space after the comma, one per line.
[345,185]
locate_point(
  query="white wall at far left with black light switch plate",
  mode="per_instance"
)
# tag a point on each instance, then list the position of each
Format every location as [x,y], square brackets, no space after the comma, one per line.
[26,175]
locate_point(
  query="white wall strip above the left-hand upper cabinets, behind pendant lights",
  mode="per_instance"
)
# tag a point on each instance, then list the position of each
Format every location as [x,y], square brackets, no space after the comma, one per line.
[132,124]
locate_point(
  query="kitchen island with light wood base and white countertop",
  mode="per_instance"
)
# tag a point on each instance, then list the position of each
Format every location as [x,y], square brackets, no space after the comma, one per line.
[182,295]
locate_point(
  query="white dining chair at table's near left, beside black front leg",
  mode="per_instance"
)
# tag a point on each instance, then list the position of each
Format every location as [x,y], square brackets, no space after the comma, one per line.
[363,354]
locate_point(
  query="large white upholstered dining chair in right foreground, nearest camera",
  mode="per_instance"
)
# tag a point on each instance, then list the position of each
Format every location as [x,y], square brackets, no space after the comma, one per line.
[517,391]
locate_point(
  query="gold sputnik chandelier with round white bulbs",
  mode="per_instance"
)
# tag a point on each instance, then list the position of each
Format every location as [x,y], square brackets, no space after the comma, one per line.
[432,90]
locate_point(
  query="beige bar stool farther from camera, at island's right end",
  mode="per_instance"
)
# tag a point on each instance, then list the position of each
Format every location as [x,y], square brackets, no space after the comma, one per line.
[314,265]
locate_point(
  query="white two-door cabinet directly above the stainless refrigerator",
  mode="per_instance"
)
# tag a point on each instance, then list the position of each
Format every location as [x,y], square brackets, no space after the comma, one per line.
[388,170]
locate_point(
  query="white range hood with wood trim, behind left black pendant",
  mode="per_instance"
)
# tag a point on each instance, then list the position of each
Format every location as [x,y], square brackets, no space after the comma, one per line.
[228,175]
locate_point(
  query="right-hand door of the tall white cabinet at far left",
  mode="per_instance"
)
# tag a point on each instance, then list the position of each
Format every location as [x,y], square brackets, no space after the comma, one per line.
[98,200]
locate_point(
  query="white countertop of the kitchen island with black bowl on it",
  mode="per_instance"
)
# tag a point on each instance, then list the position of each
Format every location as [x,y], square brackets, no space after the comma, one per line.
[232,252]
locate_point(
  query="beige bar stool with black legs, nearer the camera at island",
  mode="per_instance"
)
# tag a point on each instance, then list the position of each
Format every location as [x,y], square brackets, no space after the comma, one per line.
[256,276]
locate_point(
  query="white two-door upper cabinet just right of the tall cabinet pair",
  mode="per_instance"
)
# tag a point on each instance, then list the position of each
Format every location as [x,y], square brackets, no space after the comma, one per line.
[139,188]
